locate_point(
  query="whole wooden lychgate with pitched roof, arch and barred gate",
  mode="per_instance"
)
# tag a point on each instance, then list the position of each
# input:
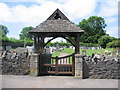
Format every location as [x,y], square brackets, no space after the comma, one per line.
[57,25]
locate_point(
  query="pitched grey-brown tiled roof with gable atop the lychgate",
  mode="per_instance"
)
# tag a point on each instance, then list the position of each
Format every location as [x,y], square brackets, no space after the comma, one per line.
[57,23]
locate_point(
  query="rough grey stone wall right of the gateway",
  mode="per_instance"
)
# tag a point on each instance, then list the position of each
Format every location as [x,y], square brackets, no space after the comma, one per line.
[103,69]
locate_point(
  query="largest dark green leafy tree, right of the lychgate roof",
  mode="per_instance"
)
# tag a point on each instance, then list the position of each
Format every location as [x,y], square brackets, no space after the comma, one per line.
[94,28]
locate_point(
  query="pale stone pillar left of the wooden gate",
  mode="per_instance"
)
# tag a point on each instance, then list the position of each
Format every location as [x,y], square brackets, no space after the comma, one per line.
[34,64]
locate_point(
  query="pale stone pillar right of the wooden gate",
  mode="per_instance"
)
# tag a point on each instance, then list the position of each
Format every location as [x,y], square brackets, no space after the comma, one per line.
[78,66]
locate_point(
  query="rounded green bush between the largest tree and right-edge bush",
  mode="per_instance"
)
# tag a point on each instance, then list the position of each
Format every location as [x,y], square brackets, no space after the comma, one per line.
[103,40]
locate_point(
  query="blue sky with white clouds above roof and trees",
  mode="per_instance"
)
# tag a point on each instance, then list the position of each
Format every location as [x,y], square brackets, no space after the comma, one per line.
[16,14]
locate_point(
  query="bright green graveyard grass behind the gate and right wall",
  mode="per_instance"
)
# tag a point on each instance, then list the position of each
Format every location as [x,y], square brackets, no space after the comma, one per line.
[88,51]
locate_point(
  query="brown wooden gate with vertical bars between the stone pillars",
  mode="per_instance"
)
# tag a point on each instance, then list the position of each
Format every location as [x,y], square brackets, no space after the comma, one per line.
[58,65]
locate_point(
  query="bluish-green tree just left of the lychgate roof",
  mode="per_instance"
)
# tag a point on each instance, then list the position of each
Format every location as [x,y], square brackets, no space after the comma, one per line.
[24,33]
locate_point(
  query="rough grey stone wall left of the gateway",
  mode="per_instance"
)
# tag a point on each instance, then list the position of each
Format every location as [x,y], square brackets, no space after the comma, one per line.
[14,63]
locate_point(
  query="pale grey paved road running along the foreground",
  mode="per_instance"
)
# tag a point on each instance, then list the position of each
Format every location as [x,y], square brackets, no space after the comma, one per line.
[11,81]
